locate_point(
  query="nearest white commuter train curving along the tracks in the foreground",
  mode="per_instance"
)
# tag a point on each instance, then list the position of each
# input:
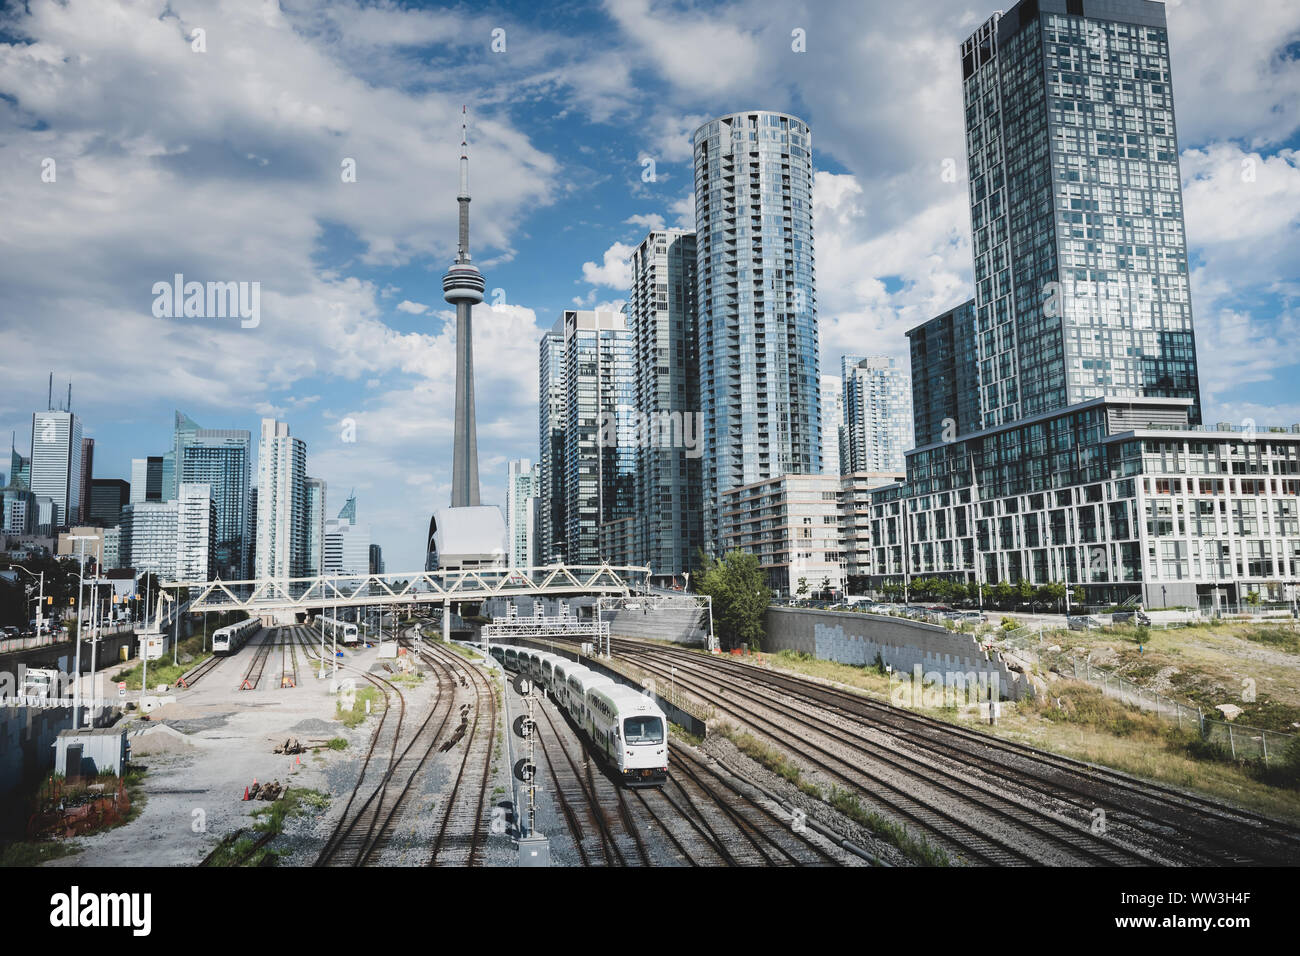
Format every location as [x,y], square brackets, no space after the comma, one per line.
[625,726]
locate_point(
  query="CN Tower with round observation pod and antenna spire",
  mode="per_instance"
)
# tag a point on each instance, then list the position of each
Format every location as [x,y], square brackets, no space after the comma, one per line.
[463,287]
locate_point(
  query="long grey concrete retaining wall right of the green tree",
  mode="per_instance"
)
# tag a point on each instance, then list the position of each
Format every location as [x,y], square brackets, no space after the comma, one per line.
[859,639]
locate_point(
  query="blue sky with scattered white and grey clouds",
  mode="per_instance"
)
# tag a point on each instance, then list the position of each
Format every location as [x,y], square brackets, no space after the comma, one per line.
[227,165]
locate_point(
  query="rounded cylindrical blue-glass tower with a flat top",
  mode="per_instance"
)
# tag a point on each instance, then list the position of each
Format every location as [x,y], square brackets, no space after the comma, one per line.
[759,335]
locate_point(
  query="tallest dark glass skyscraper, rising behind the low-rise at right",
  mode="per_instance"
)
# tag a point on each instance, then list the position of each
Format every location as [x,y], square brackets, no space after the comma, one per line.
[1077,209]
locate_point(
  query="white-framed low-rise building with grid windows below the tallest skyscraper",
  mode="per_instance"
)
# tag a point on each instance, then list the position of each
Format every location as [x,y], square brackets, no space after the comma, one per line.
[1123,498]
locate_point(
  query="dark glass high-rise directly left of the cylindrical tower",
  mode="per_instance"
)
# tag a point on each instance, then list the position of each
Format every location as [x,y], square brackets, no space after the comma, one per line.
[669,530]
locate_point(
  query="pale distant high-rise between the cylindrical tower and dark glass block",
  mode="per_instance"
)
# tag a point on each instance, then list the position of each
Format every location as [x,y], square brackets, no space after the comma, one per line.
[877,416]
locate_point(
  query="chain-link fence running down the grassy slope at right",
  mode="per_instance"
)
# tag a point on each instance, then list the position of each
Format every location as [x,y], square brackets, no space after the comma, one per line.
[1039,647]
